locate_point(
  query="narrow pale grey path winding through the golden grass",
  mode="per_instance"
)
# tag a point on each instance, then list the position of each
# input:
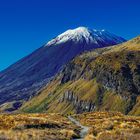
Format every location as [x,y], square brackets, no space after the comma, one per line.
[84,129]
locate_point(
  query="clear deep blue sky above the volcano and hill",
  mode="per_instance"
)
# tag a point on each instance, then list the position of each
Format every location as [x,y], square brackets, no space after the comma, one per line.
[27,24]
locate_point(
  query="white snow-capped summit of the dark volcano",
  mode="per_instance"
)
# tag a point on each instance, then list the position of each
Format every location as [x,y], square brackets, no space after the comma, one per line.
[83,34]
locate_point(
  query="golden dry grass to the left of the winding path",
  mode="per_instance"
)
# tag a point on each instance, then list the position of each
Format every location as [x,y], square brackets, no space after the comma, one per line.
[36,127]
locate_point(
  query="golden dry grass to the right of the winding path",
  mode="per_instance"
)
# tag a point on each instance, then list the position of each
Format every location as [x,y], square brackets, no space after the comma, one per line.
[110,126]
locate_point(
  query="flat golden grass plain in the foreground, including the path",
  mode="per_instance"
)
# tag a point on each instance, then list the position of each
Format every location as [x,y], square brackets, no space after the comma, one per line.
[85,126]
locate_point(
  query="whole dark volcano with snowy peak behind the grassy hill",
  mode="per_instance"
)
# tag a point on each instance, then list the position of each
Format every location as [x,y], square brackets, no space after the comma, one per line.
[23,79]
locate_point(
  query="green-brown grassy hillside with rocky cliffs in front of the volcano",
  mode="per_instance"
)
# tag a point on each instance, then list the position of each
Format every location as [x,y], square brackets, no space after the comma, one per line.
[104,79]
